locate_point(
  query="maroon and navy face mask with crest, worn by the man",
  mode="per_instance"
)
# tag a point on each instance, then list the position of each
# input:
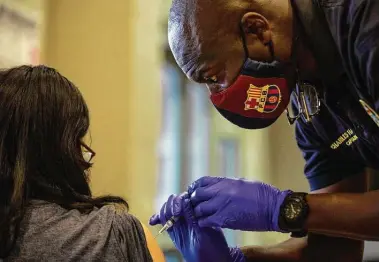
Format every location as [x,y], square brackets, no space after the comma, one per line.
[257,98]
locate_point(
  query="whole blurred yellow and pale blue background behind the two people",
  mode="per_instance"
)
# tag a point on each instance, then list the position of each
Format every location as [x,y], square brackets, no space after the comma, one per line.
[154,132]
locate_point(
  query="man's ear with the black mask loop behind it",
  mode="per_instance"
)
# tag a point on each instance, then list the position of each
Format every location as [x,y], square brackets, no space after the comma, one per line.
[257,26]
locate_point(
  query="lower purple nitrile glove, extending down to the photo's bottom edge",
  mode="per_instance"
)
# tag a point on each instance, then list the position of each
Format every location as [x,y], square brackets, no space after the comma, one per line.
[194,243]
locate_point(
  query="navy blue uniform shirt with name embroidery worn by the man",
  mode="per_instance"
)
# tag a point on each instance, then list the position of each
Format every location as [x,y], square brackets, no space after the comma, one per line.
[343,139]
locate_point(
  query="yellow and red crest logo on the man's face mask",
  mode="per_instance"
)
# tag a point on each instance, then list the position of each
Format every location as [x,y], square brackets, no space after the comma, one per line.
[263,99]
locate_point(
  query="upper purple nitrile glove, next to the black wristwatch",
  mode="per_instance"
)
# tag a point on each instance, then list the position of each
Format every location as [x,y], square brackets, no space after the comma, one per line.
[236,204]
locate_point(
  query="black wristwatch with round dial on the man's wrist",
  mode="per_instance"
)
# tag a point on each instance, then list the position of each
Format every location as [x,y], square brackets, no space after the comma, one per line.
[293,214]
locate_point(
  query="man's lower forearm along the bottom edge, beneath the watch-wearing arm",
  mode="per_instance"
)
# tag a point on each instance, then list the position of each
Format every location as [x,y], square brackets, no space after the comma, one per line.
[315,248]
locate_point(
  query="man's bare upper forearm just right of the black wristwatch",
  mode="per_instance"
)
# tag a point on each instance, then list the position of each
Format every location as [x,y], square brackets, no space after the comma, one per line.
[353,216]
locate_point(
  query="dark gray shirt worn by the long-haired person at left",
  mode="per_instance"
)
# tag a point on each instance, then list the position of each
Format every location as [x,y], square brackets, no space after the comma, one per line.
[52,233]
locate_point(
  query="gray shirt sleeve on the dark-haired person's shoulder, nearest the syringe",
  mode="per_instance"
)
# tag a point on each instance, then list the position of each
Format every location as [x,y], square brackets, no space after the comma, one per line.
[131,237]
